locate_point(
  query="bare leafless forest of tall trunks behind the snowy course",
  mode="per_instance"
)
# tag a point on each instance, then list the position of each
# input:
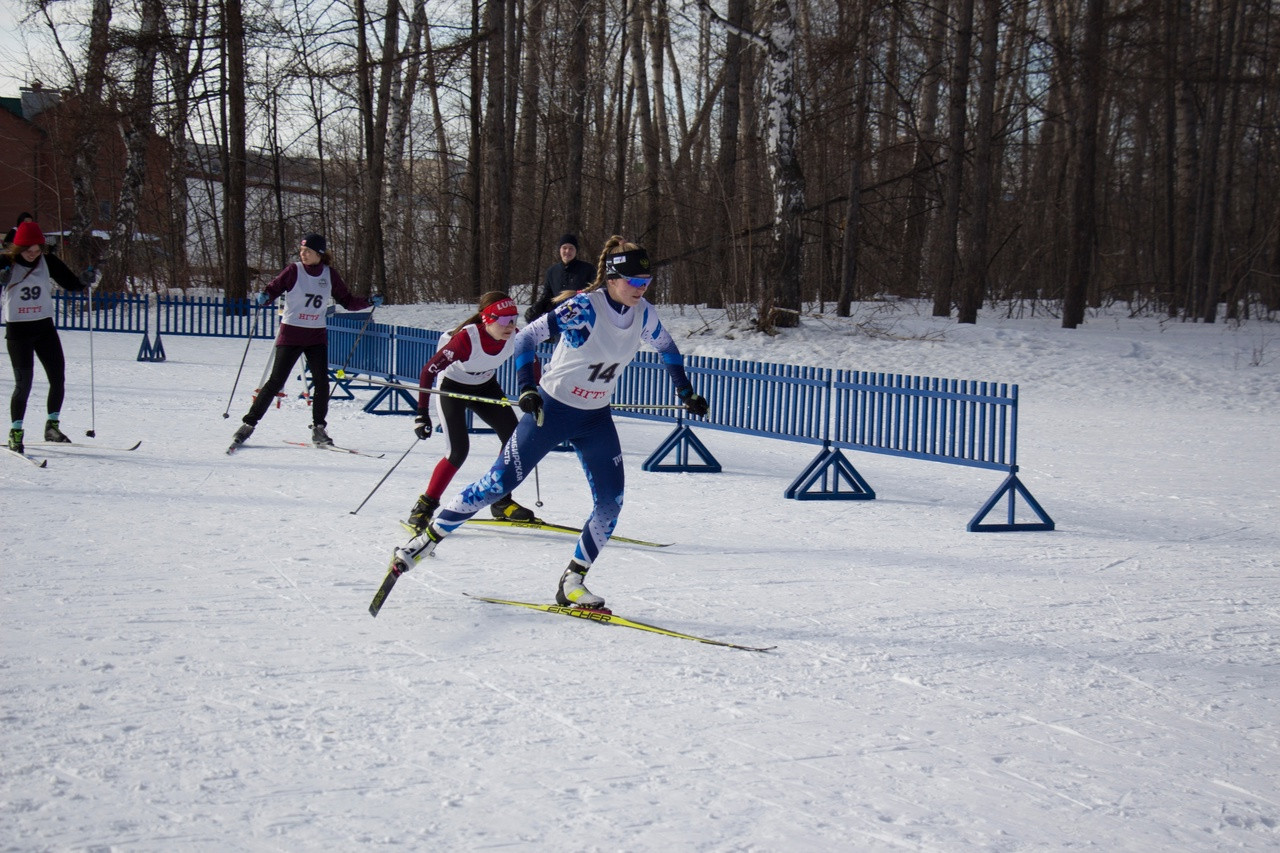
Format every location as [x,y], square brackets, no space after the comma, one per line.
[772,154]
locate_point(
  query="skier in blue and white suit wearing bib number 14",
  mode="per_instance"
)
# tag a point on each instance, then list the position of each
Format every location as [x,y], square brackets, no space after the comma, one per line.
[601,330]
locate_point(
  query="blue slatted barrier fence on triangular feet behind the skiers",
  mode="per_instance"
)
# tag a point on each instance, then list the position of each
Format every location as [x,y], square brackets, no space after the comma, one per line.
[945,421]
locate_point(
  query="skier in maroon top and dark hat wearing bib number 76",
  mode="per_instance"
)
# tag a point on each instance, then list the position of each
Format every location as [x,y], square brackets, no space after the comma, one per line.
[307,286]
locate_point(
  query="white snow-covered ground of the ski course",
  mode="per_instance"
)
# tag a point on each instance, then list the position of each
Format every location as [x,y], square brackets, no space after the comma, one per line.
[189,663]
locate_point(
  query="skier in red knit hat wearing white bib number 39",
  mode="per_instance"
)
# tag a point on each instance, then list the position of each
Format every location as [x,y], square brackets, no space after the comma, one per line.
[29,276]
